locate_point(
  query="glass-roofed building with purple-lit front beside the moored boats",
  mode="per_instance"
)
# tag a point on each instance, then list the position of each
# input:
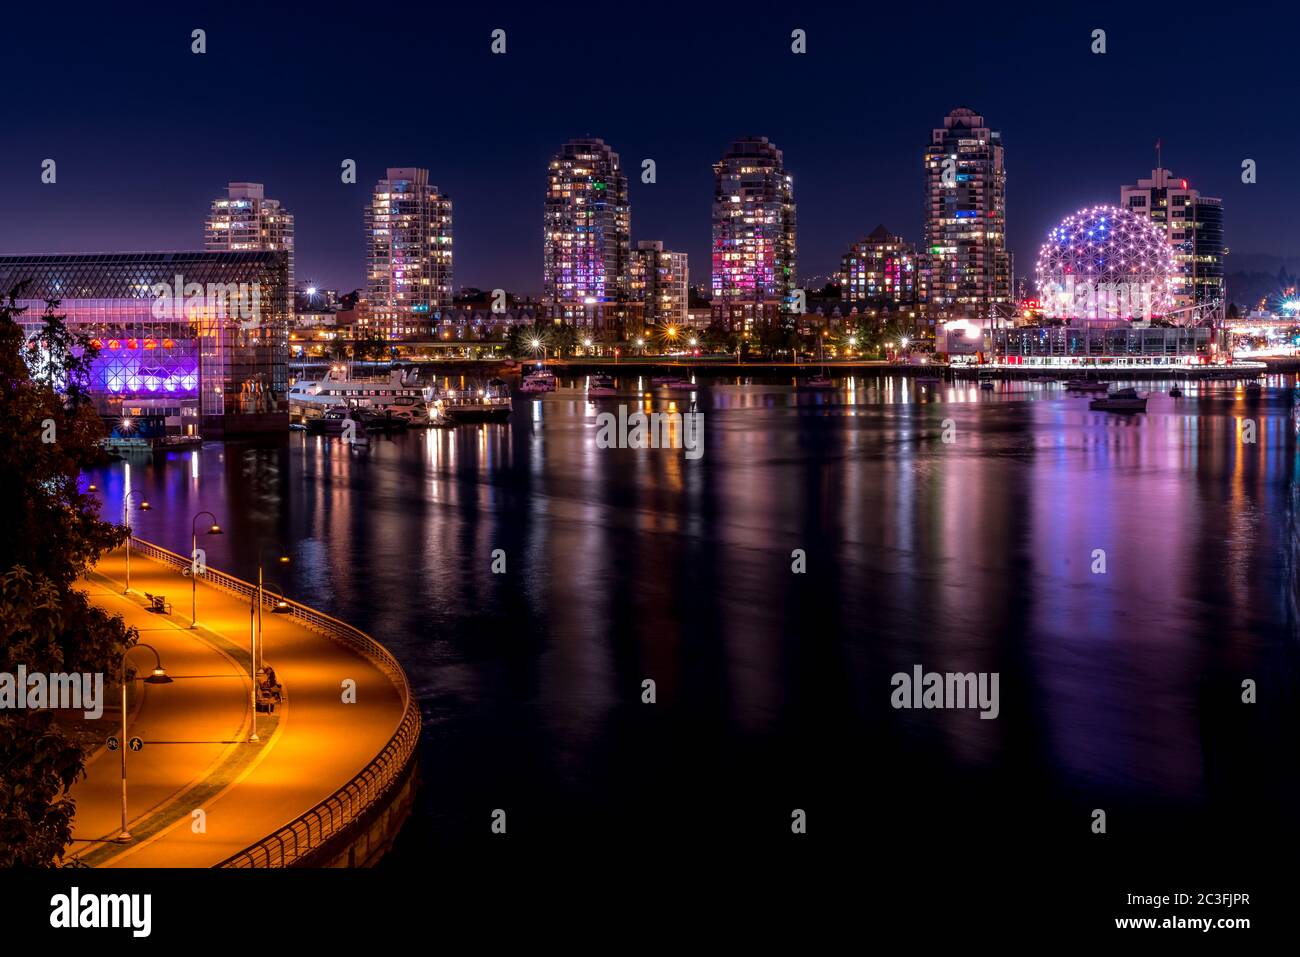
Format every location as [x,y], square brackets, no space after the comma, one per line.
[200,339]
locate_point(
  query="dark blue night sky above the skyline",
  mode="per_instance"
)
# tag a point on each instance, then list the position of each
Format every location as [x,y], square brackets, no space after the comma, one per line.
[146,133]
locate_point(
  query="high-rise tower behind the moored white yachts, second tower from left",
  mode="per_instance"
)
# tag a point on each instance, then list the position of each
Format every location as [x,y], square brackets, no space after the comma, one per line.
[409,256]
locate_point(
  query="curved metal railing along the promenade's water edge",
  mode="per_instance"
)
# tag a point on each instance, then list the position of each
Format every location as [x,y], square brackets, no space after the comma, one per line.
[330,819]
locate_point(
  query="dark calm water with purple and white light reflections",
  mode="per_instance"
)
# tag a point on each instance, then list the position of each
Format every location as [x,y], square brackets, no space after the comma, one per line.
[1119,691]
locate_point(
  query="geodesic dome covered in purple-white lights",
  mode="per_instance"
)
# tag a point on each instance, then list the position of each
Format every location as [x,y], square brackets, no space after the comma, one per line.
[1106,263]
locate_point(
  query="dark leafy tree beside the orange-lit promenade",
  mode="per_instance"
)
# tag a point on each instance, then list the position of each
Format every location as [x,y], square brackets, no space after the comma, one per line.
[50,536]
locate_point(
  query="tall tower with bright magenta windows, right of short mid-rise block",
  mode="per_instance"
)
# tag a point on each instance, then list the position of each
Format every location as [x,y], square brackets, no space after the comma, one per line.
[753,237]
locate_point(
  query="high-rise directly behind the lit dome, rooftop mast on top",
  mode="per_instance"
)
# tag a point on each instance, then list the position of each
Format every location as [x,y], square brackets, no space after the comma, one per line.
[1194,226]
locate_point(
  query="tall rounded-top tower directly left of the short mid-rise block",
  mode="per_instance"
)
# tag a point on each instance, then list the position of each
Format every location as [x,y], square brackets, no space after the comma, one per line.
[587,236]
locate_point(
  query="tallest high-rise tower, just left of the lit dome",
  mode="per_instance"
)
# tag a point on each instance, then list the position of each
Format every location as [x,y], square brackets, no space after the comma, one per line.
[967,267]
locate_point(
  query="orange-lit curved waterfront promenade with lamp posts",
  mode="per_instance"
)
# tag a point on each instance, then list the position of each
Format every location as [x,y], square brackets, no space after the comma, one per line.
[197,756]
